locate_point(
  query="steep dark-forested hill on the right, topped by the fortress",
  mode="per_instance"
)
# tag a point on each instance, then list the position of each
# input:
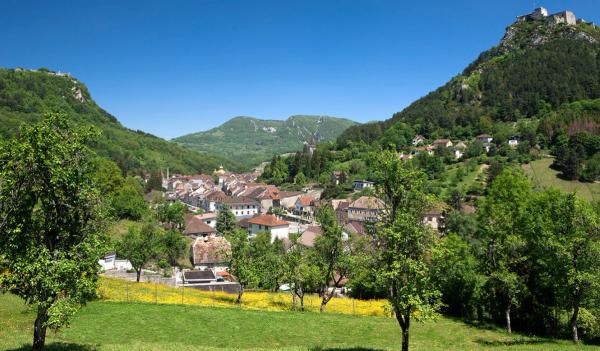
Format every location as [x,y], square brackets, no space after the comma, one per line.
[539,65]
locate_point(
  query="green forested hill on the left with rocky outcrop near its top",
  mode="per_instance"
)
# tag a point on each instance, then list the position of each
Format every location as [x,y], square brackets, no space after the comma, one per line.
[25,96]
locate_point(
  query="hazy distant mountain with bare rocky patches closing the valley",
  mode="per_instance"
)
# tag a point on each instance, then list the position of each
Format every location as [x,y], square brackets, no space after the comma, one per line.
[250,141]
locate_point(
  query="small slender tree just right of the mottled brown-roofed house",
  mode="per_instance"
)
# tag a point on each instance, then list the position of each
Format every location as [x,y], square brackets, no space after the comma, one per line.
[240,260]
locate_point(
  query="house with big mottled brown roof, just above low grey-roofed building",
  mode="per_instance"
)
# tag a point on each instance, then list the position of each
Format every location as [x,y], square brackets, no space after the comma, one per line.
[210,253]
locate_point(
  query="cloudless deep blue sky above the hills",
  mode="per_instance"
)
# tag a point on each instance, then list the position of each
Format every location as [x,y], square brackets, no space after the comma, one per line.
[175,67]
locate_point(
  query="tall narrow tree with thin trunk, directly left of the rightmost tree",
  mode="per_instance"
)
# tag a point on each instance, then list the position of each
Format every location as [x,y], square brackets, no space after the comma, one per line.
[500,221]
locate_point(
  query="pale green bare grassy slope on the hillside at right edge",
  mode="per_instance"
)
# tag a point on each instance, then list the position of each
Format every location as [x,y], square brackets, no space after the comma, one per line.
[544,177]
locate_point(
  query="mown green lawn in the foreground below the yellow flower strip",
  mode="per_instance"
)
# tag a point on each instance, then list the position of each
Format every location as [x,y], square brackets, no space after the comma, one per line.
[105,325]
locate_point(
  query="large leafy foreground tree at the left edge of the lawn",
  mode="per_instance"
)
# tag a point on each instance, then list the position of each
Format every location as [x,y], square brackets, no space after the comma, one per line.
[50,220]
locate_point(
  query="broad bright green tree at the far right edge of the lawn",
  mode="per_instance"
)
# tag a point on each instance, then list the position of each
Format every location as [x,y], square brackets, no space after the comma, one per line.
[566,236]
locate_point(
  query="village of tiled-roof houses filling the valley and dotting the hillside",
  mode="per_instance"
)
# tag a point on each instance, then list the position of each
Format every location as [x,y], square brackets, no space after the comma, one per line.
[261,207]
